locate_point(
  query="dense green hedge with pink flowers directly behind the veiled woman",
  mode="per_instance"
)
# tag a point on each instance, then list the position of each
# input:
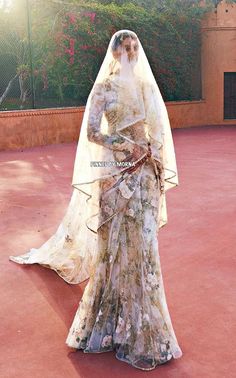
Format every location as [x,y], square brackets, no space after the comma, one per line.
[71,47]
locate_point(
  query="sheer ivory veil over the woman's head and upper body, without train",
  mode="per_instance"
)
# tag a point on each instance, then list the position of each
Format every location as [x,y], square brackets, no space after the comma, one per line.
[139,109]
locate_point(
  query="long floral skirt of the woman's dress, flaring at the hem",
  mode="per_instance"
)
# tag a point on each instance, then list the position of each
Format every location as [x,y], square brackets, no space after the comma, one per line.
[124,307]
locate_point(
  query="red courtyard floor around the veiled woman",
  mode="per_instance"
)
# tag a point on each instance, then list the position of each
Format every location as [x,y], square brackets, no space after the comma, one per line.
[197,250]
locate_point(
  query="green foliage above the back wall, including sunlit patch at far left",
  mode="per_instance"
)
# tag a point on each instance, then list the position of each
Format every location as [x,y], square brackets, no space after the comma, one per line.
[69,40]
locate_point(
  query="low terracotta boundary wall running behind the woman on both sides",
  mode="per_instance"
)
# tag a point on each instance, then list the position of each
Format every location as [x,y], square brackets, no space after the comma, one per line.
[23,129]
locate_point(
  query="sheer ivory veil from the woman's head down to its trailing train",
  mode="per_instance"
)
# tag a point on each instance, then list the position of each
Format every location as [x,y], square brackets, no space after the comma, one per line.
[111,142]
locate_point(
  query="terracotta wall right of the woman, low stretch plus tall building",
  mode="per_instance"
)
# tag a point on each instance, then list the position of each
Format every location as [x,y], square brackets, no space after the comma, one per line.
[218,56]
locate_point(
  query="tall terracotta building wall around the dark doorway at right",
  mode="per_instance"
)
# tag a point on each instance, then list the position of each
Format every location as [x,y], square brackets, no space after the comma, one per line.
[218,56]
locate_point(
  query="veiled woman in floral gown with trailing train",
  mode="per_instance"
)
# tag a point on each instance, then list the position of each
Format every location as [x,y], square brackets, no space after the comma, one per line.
[125,162]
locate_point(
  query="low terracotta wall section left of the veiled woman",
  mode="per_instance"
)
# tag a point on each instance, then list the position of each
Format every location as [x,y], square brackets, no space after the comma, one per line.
[21,129]
